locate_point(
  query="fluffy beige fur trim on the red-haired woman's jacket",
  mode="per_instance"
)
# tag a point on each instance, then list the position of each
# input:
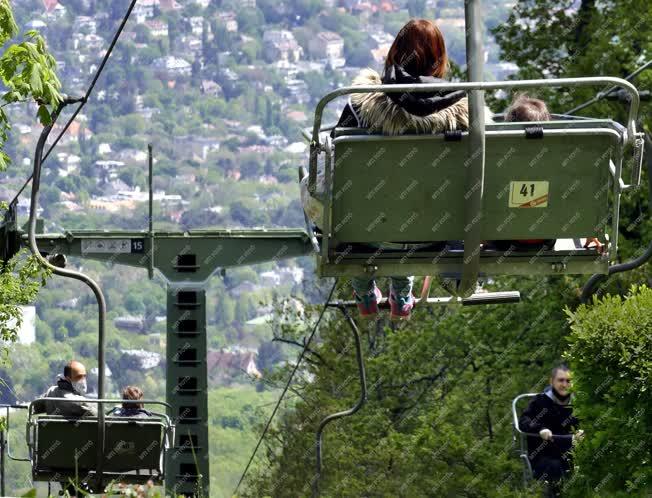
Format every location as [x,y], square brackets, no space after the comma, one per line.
[377,111]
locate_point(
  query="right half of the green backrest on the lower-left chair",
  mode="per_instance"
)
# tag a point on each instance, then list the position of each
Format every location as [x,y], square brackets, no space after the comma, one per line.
[133,444]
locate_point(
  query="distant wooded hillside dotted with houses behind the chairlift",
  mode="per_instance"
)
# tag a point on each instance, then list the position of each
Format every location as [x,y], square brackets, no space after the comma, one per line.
[221,89]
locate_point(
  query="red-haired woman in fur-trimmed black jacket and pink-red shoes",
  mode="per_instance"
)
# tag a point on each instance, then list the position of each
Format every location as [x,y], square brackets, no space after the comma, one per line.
[417,56]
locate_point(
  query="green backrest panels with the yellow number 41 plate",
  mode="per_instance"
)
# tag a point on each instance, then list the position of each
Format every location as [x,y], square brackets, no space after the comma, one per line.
[412,188]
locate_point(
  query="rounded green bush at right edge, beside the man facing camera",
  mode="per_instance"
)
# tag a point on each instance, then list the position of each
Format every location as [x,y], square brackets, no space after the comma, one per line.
[611,351]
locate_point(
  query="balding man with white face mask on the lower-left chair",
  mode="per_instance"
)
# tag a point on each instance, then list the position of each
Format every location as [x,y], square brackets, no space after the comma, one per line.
[72,385]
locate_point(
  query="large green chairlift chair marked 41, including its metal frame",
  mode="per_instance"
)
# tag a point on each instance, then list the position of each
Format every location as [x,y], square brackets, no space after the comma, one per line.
[560,179]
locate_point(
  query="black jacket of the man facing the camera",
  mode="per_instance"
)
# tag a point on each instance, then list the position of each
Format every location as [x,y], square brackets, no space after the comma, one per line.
[544,413]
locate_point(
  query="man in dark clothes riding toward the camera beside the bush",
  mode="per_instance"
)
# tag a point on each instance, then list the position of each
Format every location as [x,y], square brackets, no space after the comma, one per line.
[550,414]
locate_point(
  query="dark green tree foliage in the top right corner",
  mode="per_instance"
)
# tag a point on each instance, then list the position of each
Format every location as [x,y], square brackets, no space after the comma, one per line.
[546,38]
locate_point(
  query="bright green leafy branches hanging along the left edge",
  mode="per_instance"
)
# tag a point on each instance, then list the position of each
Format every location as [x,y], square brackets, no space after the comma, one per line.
[27,71]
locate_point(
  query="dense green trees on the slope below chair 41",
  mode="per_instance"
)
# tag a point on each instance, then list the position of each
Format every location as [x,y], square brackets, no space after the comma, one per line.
[437,421]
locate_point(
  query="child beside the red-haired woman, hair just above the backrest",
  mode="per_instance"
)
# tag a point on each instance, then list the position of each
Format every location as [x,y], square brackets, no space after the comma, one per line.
[523,109]
